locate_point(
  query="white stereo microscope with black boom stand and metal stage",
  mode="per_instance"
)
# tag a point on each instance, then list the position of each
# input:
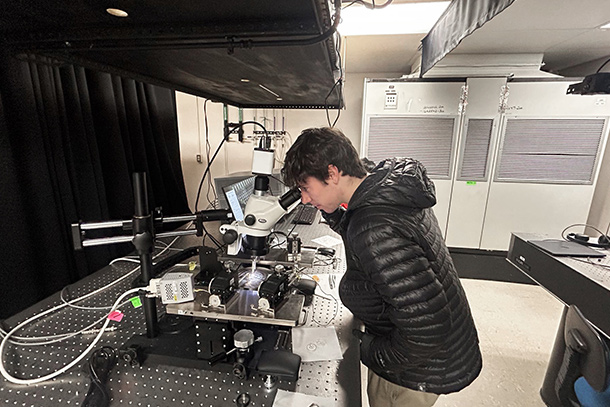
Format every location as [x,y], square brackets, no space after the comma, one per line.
[210,317]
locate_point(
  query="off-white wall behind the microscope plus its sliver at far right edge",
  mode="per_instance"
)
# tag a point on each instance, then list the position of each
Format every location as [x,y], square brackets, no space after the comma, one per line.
[236,157]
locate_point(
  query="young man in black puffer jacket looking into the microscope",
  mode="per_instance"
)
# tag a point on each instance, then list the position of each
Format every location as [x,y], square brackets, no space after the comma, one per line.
[420,339]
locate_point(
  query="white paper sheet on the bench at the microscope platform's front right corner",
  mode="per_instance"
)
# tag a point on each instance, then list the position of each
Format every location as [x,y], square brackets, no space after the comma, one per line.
[316,344]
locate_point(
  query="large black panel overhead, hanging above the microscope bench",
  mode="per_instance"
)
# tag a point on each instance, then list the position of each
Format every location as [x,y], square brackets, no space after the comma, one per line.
[268,53]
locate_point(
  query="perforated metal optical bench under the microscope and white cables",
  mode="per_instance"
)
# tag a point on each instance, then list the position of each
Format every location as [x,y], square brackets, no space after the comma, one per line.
[160,382]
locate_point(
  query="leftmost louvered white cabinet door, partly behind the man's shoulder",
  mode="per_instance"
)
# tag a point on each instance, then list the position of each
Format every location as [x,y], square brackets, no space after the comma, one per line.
[424,124]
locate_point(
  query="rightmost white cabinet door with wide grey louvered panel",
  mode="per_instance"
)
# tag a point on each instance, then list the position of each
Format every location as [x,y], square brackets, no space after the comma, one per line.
[544,177]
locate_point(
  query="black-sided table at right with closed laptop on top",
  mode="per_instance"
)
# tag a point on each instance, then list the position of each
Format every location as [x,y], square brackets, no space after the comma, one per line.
[584,282]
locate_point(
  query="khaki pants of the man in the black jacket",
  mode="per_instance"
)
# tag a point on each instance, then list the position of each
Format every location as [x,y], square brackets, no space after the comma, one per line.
[385,394]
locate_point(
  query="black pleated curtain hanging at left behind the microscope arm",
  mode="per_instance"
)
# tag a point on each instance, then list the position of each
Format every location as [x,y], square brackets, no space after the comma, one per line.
[70,139]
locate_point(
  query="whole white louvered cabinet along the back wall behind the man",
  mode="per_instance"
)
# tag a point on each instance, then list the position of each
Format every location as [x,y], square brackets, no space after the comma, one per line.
[517,156]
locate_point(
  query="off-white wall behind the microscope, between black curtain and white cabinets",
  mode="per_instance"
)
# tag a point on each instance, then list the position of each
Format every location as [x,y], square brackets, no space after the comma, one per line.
[237,157]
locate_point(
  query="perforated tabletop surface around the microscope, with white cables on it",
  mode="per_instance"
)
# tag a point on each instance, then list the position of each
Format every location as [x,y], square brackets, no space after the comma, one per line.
[165,385]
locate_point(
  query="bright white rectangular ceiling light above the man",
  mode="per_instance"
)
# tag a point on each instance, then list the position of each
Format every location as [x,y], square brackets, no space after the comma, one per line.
[405,18]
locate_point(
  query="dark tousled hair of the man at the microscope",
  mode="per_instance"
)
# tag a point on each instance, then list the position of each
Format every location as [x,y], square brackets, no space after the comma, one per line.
[314,150]
